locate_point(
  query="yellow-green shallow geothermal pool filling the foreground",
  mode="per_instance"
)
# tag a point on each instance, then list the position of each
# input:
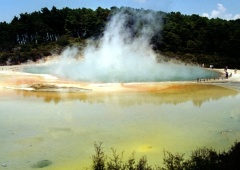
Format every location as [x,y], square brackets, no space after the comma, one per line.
[62,127]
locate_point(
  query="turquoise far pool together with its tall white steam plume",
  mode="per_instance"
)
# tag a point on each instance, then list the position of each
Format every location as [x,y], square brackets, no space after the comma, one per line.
[123,54]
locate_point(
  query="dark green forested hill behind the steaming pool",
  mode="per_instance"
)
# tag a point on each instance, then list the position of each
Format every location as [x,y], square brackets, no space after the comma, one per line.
[189,38]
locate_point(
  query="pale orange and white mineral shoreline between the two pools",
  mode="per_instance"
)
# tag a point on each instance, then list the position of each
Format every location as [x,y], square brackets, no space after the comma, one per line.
[14,78]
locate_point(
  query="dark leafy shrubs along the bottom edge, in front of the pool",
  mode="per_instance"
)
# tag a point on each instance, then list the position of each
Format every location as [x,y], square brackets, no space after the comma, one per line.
[201,159]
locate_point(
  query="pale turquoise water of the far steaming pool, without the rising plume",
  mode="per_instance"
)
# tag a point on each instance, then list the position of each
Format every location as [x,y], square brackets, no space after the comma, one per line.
[78,71]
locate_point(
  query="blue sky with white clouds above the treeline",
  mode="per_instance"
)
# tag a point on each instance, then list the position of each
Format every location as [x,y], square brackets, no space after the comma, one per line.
[225,9]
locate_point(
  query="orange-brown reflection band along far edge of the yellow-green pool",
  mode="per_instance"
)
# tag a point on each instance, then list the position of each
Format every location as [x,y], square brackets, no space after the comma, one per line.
[174,94]
